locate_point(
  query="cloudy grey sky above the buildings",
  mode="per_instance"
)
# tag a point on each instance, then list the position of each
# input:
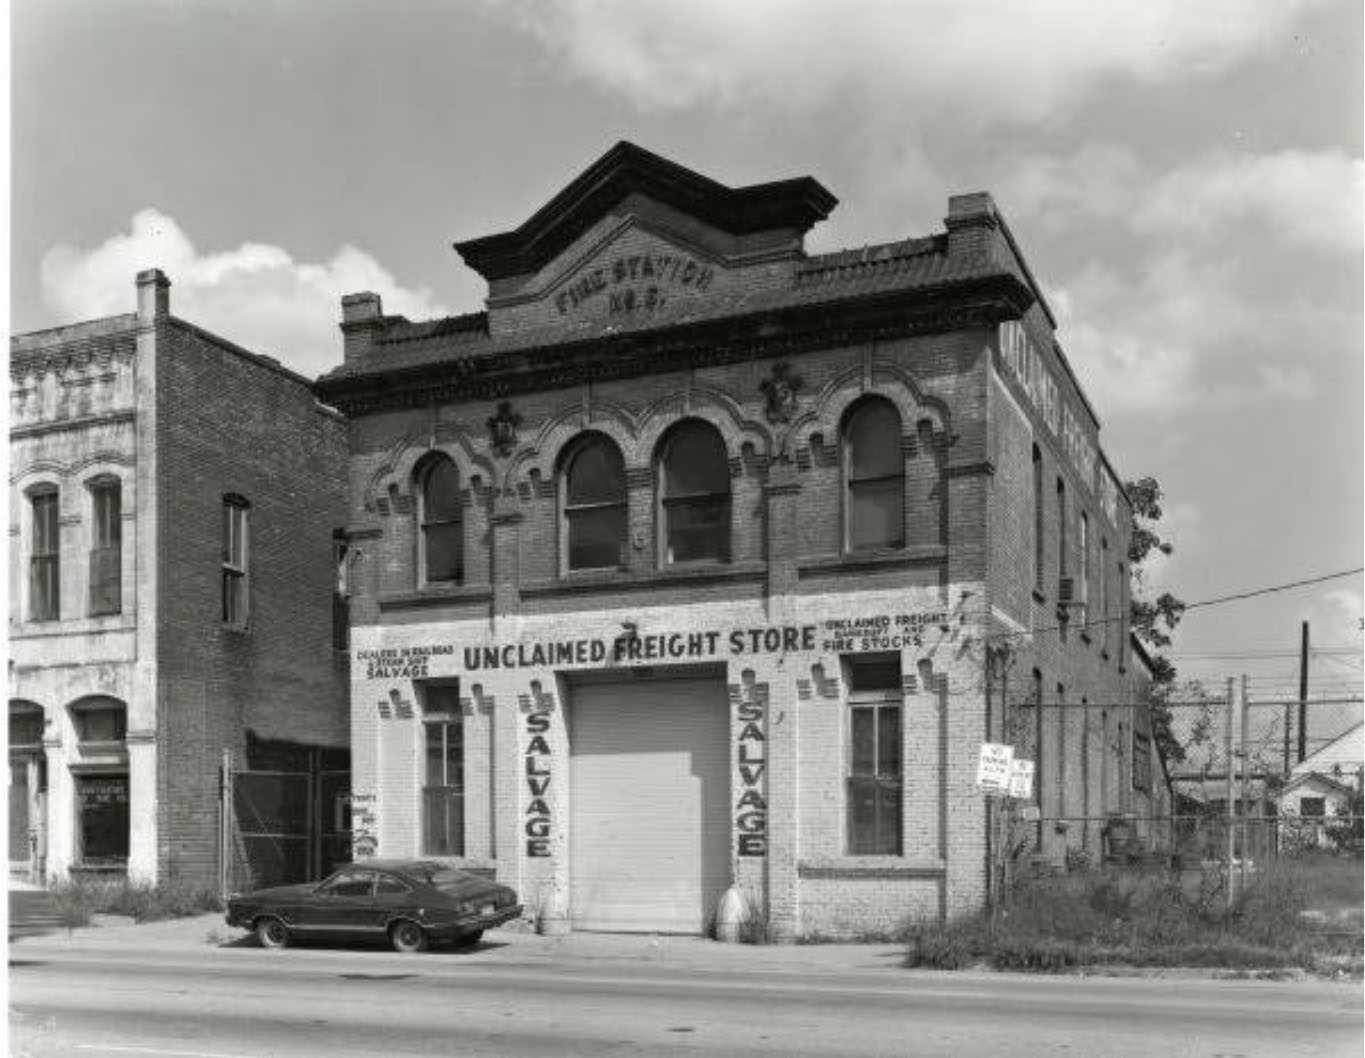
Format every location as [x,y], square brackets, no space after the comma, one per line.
[1187,182]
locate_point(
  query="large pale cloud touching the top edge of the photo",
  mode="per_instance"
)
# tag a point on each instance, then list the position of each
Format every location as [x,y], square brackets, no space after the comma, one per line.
[921,59]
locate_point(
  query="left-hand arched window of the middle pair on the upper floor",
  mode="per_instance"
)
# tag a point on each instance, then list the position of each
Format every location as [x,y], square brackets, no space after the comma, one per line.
[593,492]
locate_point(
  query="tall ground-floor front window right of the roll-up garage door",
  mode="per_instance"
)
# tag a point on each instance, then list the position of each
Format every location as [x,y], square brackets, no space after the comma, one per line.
[874,764]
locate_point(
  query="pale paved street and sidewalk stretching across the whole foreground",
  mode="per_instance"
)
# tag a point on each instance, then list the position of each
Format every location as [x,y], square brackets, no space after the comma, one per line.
[581,996]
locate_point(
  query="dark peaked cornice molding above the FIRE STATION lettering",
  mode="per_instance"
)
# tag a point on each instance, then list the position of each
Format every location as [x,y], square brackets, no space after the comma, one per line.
[629,173]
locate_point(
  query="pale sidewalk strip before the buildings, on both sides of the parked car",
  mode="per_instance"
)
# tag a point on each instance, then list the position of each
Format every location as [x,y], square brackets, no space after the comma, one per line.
[511,945]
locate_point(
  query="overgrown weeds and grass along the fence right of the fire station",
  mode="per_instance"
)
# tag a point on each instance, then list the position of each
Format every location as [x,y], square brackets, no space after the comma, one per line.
[1139,919]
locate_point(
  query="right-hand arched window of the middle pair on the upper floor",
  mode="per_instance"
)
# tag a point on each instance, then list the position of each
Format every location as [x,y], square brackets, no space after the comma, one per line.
[695,495]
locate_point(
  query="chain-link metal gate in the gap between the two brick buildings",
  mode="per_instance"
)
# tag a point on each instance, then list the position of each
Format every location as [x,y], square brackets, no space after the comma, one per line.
[285,825]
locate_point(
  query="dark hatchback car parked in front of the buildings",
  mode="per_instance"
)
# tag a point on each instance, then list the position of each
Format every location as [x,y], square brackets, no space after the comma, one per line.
[413,903]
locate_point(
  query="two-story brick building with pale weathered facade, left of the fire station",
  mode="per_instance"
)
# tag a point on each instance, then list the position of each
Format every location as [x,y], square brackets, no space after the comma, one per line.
[174,500]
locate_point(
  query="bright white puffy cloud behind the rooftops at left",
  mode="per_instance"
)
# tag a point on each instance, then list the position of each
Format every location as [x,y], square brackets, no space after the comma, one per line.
[256,296]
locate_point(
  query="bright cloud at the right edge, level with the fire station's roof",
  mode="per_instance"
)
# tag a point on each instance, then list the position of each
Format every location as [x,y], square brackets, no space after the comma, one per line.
[1310,199]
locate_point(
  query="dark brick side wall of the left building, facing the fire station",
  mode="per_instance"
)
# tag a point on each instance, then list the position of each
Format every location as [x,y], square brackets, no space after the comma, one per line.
[234,425]
